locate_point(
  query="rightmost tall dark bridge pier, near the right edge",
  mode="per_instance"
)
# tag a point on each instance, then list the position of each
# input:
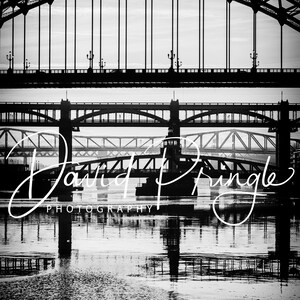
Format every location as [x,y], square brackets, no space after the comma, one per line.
[283,137]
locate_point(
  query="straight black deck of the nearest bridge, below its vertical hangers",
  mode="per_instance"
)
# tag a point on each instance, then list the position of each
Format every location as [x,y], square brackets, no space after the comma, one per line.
[149,78]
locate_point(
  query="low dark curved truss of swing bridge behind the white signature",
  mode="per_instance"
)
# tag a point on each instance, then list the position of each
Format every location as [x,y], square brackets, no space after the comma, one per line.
[146,165]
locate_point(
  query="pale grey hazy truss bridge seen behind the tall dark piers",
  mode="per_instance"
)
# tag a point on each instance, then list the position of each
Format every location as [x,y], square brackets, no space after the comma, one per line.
[223,142]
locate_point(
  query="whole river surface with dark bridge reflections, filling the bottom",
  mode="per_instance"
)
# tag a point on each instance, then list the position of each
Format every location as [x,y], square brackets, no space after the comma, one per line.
[181,251]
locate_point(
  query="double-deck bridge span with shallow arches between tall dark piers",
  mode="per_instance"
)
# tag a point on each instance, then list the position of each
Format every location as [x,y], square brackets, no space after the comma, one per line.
[148,114]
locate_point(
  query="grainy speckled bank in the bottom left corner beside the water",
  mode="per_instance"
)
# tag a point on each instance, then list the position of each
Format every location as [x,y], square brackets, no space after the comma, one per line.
[77,284]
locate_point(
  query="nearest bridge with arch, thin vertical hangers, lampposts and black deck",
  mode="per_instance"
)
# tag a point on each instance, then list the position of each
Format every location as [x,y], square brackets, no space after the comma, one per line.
[68,60]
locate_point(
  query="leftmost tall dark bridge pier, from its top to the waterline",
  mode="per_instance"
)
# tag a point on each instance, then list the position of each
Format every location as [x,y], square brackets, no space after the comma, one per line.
[65,129]
